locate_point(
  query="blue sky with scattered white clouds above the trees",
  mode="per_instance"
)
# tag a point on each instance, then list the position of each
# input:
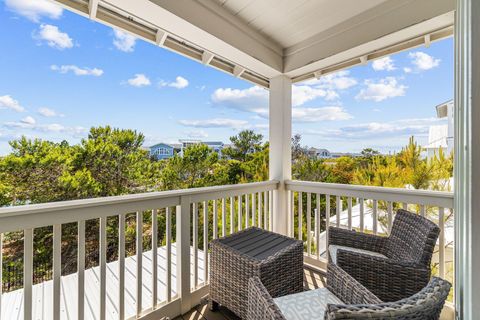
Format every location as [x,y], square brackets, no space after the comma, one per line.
[62,73]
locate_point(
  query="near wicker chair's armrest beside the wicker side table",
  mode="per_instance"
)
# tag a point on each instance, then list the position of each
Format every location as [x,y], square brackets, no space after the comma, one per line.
[260,304]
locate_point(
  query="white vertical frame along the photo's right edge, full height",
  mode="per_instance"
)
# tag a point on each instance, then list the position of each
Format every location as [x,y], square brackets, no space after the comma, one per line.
[467,159]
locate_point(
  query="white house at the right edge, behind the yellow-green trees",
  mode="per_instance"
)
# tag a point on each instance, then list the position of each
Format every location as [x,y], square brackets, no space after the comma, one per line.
[441,136]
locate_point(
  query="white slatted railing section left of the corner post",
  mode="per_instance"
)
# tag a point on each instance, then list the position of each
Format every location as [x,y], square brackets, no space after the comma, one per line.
[230,208]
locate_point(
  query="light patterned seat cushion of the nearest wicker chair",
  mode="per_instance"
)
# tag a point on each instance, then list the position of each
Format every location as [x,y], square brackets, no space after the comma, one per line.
[308,305]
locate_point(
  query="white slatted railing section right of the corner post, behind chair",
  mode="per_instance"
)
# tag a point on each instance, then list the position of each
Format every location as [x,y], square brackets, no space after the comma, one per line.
[365,209]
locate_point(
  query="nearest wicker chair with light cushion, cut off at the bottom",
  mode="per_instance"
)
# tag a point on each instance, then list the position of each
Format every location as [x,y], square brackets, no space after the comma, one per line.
[354,301]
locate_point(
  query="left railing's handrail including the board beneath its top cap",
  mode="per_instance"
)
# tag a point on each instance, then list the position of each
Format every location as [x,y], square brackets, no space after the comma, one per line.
[44,214]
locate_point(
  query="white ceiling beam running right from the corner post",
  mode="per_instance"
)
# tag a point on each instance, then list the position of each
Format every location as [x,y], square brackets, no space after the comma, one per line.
[389,23]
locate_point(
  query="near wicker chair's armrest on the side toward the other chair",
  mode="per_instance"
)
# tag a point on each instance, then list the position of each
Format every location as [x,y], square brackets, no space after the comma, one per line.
[346,288]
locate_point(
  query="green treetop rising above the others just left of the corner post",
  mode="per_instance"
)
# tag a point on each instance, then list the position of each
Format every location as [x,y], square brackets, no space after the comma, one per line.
[245,143]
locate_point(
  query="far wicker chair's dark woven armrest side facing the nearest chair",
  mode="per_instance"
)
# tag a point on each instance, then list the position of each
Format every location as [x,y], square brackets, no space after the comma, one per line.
[389,280]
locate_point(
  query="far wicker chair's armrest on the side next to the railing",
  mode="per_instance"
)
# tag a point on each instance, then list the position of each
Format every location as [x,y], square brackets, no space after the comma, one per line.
[359,240]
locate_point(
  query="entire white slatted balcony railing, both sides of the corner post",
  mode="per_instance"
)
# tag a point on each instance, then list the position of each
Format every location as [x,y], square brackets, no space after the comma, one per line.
[172,278]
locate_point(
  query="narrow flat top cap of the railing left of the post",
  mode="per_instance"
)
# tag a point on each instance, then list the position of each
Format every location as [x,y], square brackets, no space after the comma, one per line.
[98,203]
